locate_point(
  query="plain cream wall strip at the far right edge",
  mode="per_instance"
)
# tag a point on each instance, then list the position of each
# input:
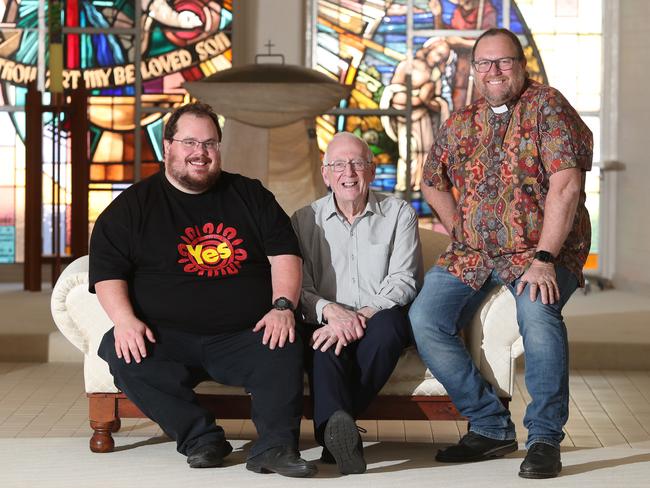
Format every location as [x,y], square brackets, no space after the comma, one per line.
[632,269]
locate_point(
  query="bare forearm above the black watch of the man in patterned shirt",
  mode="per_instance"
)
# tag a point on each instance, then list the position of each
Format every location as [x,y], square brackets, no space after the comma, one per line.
[559,210]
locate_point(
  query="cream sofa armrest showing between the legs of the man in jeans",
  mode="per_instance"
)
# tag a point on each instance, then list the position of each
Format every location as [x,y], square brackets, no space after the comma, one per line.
[493,340]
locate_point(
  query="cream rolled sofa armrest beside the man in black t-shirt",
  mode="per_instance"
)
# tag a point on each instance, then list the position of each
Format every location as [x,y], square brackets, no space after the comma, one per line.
[82,320]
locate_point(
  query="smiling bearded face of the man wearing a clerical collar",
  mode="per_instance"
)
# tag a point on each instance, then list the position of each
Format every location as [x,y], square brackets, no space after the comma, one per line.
[499,87]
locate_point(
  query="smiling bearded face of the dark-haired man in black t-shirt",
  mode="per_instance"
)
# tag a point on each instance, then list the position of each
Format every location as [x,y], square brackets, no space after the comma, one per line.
[192,170]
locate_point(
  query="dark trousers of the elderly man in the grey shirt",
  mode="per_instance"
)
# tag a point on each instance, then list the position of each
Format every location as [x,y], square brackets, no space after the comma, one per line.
[351,380]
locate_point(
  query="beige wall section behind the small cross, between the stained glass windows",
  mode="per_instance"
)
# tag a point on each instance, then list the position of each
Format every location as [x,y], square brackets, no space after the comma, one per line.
[256,22]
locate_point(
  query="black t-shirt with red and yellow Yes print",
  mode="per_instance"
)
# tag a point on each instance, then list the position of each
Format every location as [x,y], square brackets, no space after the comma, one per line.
[193,262]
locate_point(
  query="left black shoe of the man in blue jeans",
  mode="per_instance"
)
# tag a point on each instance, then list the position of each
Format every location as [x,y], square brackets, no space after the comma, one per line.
[475,447]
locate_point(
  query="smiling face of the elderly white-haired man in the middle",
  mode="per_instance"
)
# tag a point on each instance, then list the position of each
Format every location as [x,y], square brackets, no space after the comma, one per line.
[350,186]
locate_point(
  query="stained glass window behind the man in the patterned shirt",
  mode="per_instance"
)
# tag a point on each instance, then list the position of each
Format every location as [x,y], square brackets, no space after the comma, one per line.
[364,43]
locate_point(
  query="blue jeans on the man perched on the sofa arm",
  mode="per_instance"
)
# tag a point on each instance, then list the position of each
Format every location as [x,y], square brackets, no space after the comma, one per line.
[445,305]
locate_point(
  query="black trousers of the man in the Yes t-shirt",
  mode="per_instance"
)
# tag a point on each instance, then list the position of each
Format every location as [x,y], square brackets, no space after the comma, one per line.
[161,385]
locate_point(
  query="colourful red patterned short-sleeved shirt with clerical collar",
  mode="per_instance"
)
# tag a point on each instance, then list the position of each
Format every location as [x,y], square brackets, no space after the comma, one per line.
[500,165]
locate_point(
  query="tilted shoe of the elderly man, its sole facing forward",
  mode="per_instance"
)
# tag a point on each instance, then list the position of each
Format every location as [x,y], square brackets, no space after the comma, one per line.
[343,441]
